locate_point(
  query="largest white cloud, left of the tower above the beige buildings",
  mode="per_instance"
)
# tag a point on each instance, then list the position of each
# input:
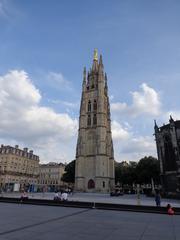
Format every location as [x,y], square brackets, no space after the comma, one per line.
[24,120]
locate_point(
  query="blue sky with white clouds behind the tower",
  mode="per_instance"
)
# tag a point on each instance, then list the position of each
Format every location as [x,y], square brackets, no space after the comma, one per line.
[44,46]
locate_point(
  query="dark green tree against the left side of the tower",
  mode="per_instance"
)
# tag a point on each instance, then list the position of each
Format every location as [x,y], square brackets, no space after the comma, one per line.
[69,175]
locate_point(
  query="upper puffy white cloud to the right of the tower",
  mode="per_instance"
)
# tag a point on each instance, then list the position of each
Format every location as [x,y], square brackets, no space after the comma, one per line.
[146,101]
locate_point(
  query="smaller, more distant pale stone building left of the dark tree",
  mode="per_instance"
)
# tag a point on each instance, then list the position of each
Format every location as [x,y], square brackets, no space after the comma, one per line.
[50,176]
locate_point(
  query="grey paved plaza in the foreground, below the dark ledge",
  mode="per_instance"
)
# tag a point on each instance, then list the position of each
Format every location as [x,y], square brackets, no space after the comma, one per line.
[31,222]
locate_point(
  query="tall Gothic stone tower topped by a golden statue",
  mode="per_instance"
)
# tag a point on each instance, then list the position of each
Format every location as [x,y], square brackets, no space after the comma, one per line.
[94,153]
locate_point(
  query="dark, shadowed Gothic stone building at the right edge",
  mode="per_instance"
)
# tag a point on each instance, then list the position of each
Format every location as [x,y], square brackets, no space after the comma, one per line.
[168,149]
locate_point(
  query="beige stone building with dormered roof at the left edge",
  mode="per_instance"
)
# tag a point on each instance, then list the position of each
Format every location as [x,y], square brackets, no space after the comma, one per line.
[18,169]
